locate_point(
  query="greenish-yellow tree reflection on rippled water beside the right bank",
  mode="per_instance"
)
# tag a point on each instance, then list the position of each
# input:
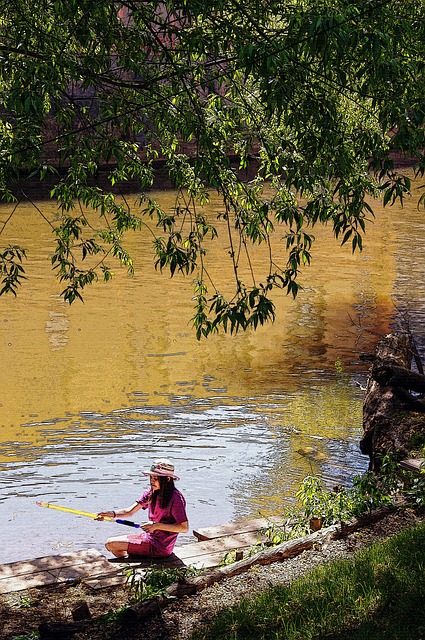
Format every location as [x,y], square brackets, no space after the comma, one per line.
[316,433]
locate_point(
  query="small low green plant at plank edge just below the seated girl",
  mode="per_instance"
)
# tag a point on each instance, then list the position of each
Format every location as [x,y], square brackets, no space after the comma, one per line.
[154,580]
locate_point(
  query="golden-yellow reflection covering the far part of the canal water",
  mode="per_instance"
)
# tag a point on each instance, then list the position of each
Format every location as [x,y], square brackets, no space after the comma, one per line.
[134,335]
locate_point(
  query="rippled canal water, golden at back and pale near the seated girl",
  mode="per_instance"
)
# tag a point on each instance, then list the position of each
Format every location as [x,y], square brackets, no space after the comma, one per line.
[92,392]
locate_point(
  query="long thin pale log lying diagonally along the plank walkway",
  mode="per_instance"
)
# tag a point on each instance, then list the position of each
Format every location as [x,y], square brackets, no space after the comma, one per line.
[279,553]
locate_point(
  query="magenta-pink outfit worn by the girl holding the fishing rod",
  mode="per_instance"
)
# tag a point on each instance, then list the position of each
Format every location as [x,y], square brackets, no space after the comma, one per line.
[158,543]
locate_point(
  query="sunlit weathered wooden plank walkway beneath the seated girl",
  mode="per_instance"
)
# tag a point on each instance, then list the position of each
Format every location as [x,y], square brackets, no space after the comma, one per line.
[96,571]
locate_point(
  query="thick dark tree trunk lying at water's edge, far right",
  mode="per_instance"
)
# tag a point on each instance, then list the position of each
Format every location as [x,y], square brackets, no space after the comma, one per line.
[391,413]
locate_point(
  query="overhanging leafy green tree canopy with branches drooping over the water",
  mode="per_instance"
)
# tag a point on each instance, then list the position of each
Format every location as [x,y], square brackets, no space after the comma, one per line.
[315,94]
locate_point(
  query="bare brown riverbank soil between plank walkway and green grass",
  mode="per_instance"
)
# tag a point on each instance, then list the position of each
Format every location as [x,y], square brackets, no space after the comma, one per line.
[53,612]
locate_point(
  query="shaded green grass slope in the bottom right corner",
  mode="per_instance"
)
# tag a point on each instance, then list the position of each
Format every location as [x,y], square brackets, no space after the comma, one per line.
[377,595]
